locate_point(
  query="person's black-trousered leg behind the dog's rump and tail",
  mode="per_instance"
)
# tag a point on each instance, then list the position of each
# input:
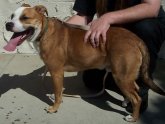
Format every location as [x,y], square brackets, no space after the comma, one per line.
[152,33]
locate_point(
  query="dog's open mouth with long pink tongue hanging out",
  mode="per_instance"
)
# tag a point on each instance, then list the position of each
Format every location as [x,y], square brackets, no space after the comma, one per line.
[18,38]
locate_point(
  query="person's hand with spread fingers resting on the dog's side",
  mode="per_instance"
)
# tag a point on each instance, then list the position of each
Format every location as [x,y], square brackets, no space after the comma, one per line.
[98,27]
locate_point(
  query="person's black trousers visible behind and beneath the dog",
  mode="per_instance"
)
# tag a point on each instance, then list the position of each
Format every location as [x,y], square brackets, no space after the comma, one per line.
[152,32]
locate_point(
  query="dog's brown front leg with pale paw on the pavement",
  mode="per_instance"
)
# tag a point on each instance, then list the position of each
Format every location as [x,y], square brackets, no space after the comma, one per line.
[58,85]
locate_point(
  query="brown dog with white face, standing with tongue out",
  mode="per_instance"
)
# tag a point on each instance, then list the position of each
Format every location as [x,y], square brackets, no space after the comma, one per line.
[62,48]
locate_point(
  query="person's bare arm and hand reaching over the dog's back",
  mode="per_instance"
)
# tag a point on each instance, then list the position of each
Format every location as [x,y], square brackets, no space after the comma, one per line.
[99,27]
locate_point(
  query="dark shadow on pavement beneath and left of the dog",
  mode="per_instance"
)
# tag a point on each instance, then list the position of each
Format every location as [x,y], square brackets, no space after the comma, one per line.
[33,85]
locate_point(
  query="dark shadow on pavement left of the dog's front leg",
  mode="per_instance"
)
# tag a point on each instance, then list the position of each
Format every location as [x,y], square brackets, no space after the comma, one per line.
[30,83]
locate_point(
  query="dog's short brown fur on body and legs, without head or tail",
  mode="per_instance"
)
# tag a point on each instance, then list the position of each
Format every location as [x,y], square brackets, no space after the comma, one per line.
[63,49]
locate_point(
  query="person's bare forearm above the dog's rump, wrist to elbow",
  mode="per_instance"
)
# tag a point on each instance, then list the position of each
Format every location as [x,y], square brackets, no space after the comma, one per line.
[135,13]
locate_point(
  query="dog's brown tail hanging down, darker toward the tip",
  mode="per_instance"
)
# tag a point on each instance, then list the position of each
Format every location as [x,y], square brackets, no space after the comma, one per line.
[144,71]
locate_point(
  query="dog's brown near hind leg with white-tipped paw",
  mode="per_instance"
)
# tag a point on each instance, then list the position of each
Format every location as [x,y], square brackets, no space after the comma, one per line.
[125,80]
